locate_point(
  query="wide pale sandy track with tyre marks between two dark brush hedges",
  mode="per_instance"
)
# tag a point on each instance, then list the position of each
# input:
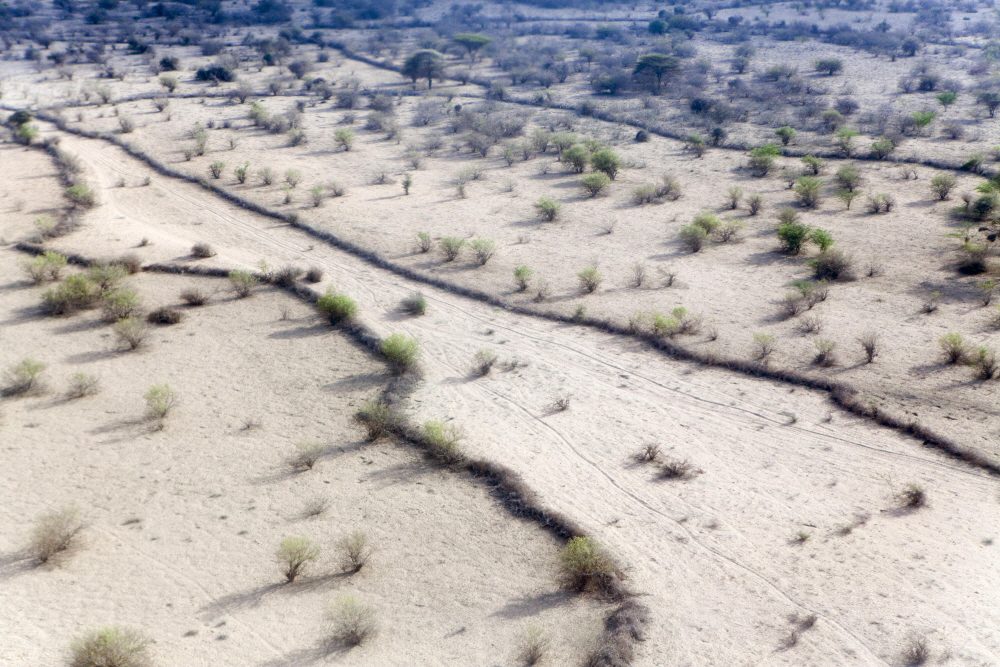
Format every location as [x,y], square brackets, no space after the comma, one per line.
[710,556]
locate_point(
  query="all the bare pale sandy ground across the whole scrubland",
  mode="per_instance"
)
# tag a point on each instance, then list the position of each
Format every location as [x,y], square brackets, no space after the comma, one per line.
[787,544]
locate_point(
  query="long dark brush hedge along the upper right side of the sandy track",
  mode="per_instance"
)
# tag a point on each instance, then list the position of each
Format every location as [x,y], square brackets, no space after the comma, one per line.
[843,395]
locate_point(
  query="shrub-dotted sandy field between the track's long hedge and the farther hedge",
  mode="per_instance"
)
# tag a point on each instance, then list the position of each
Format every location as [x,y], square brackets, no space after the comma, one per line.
[735,288]
